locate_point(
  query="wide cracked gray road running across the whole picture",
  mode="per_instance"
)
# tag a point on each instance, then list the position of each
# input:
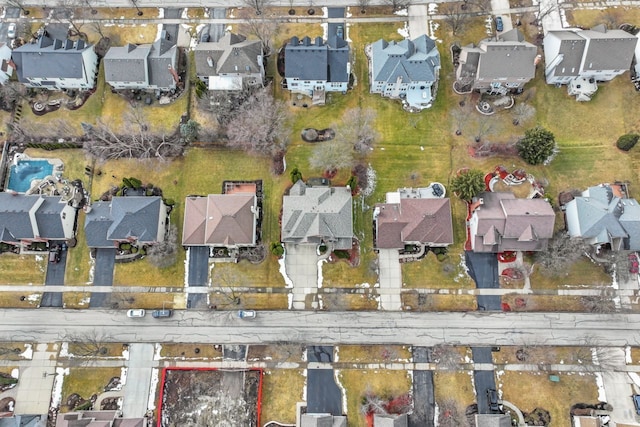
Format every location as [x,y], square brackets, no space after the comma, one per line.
[328,328]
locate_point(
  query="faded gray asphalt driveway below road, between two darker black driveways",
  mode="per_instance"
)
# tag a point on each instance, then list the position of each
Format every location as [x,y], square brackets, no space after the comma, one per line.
[423,391]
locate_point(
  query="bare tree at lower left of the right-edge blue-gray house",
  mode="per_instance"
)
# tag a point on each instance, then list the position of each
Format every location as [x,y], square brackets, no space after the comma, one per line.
[562,251]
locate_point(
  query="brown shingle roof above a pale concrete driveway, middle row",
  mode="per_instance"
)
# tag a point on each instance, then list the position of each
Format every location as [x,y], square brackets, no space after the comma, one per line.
[425,221]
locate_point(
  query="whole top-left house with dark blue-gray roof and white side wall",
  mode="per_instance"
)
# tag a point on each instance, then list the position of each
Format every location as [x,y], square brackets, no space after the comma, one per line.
[56,64]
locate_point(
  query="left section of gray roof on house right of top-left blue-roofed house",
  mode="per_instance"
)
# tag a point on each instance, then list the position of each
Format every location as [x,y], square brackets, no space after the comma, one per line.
[126,63]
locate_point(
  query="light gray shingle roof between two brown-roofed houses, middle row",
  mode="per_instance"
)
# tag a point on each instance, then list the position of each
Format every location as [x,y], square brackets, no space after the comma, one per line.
[319,213]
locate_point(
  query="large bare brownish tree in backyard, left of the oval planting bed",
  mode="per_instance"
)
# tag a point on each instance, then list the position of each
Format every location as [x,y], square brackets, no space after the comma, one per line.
[260,126]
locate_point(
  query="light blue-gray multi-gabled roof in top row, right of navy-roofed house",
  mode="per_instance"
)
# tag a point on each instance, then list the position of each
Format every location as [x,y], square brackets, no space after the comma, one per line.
[409,60]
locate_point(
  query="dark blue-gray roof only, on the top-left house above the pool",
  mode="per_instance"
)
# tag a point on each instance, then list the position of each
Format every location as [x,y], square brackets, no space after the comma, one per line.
[48,58]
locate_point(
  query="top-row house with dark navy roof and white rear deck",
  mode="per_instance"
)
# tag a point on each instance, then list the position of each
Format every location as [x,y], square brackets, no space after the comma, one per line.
[314,68]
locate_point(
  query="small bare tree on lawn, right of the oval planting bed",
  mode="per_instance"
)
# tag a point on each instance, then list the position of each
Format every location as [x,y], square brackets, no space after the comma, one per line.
[357,130]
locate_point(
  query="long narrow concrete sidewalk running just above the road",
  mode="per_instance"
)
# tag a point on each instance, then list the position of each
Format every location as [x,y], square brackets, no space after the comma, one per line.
[596,291]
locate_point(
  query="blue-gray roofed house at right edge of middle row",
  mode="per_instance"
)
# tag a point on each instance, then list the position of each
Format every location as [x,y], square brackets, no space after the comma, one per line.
[603,215]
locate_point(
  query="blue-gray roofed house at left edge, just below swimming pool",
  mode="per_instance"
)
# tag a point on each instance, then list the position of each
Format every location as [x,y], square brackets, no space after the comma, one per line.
[27,219]
